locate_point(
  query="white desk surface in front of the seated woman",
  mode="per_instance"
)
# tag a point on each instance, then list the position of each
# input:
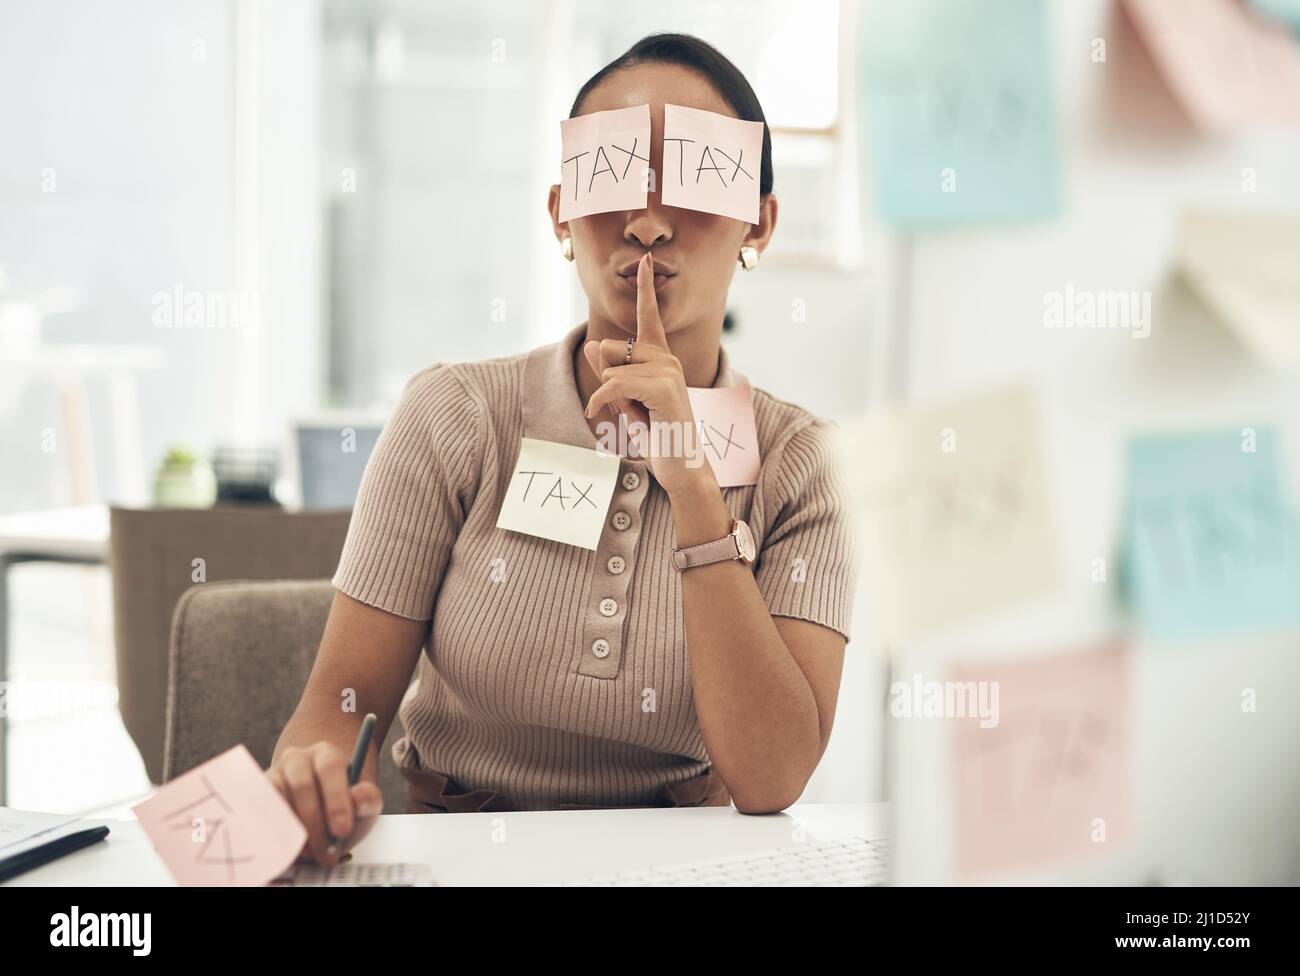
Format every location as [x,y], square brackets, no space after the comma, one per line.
[506,849]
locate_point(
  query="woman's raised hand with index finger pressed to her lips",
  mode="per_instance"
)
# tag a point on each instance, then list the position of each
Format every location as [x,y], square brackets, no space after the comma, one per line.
[651,393]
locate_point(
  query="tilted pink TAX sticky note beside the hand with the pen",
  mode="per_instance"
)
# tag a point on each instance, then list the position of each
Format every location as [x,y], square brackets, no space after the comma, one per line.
[223,823]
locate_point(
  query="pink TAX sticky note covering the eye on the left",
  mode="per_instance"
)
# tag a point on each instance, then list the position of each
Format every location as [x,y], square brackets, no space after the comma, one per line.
[604,162]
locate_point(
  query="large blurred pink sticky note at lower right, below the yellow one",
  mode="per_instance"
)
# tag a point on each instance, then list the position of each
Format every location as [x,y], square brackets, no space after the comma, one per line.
[1050,783]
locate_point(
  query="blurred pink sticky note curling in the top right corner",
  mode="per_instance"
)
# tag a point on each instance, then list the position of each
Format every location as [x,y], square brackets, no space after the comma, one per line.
[1227,66]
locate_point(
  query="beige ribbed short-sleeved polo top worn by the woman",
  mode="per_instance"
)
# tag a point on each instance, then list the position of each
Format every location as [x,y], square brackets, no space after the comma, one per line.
[525,687]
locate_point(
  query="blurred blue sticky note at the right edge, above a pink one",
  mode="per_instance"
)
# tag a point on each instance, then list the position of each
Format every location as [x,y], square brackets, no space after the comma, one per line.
[1211,544]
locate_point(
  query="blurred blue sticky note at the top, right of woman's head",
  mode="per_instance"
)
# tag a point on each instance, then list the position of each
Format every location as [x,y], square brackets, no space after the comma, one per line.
[961,119]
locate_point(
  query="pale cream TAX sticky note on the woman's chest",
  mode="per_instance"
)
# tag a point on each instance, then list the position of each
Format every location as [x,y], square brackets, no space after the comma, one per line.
[560,492]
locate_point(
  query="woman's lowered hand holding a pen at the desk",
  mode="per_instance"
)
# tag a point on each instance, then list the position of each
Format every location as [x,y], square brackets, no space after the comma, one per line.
[314,780]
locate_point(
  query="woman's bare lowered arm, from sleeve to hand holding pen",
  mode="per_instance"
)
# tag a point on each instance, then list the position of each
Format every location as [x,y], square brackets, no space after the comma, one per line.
[365,665]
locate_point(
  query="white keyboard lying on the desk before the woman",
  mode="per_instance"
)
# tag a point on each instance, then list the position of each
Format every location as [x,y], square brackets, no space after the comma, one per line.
[847,862]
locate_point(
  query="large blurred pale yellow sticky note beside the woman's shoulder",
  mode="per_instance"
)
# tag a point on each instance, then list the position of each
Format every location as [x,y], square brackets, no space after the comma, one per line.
[952,509]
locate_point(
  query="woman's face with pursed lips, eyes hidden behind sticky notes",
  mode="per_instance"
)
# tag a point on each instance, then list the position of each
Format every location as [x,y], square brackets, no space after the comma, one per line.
[696,253]
